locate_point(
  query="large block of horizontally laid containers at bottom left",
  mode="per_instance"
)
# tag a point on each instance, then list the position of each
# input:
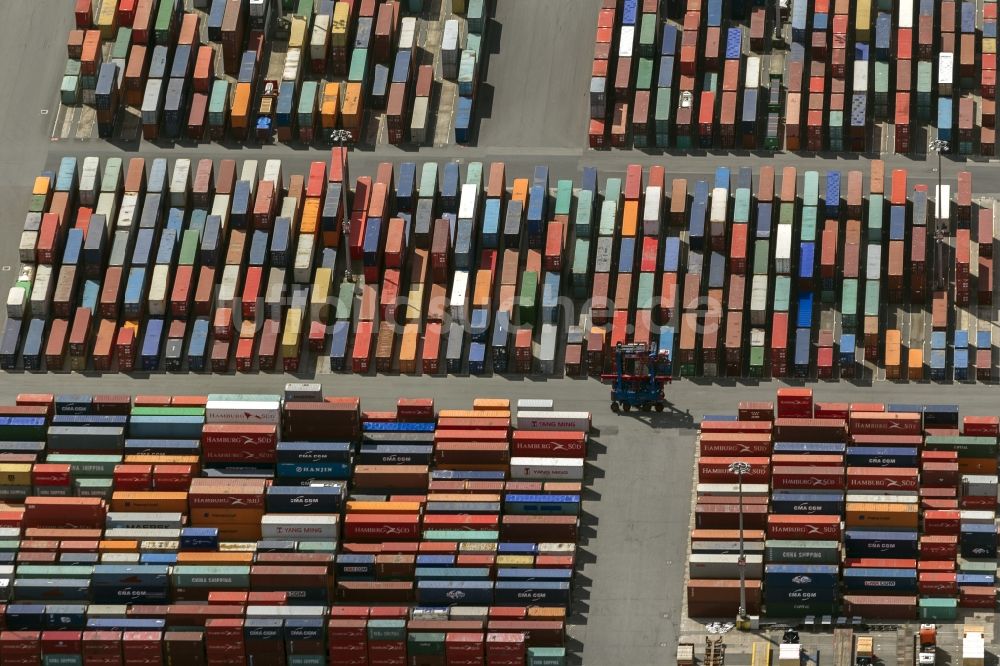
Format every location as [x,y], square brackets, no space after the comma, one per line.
[222,528]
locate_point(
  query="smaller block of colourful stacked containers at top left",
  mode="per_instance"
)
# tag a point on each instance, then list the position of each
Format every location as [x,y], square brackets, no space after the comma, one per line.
[342,62]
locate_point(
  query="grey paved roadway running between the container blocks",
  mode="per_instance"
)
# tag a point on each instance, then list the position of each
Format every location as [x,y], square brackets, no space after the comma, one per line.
[635,530]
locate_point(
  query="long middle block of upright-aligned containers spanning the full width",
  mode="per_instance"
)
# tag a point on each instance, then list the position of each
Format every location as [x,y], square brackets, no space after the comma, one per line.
[200,266]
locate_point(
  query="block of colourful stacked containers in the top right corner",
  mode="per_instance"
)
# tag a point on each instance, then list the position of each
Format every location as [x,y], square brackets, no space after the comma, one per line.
[689,80]
